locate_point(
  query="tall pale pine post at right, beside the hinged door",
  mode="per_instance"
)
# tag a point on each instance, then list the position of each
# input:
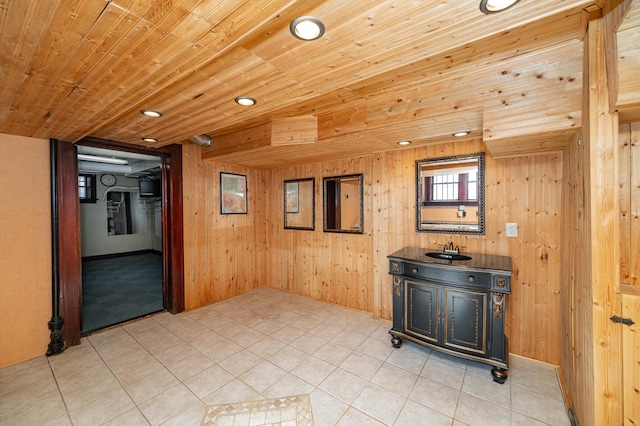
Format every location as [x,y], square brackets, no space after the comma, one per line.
[604,231]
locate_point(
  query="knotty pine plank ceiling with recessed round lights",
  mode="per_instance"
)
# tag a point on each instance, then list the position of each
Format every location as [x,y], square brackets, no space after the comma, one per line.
[384,71]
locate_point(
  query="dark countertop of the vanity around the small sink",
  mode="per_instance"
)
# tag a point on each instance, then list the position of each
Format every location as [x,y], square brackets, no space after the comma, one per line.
[478,262]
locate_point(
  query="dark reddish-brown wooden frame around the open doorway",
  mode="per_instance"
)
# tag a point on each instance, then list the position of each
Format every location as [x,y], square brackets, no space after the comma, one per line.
[70,263]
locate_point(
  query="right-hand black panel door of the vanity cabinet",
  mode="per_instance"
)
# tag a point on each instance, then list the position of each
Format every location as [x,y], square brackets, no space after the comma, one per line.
[465,321]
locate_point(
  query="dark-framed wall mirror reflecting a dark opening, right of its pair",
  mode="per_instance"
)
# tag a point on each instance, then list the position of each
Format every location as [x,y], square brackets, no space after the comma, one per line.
[343,204]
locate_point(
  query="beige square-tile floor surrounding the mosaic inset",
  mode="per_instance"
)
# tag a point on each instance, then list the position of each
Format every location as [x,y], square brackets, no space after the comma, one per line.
[167,369]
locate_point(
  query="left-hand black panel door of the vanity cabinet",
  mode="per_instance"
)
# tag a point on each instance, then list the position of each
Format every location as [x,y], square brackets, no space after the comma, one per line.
[422,310]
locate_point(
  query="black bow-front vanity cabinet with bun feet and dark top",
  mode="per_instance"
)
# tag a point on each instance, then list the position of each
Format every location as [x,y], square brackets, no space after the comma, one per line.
[457,307]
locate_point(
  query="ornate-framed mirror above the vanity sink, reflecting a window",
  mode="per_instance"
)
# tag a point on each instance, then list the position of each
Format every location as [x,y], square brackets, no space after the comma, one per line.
[450,194]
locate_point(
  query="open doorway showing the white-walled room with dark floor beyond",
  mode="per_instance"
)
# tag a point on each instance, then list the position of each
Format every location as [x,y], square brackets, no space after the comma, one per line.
[121,232]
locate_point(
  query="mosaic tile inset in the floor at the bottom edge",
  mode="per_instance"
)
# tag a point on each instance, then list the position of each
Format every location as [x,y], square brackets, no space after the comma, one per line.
[290,411]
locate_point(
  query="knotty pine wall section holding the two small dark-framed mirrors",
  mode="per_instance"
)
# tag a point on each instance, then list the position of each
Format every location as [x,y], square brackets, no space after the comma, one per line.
[332,267]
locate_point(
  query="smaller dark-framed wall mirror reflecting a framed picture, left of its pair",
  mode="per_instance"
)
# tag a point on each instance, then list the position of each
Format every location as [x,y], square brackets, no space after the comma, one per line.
[299,204]
